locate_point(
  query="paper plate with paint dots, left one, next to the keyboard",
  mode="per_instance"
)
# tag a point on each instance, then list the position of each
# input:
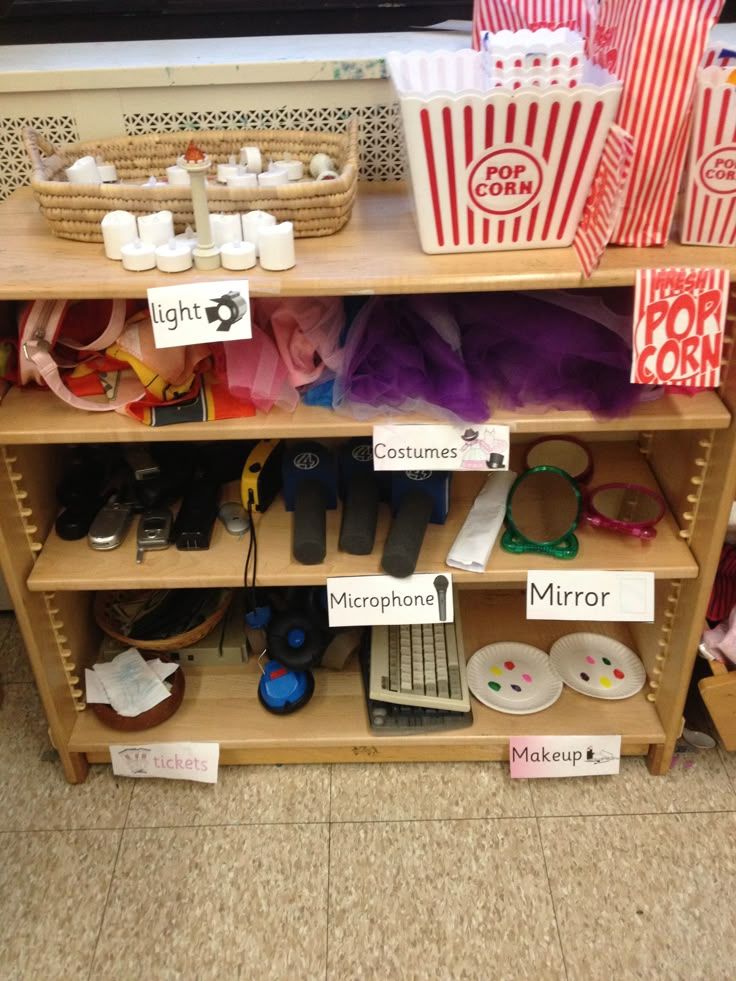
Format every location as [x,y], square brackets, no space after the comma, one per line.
[513,678]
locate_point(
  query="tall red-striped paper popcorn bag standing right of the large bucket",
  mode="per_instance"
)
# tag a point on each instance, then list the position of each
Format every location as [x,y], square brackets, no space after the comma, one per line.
[655,46]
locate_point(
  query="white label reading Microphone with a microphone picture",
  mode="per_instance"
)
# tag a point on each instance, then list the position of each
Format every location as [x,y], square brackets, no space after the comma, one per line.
[357,601]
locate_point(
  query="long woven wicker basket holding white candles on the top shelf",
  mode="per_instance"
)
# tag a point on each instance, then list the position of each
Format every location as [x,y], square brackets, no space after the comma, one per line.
[76,210]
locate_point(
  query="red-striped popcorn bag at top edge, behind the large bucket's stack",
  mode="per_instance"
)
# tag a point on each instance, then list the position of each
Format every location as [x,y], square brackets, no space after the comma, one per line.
[518,15]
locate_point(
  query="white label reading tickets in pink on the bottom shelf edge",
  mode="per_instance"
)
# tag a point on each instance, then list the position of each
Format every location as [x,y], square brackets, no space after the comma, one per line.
[172,761]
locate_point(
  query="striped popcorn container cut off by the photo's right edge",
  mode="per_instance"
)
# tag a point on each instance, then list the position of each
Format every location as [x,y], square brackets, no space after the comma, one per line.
[709,216]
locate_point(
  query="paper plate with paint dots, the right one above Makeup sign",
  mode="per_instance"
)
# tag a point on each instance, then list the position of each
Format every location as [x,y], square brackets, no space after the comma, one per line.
[598,666]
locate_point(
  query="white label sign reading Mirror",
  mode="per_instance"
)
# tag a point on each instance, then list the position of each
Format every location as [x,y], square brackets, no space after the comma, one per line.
[592,595]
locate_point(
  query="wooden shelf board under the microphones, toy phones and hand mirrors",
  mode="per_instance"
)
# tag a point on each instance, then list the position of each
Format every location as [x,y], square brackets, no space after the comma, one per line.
[74,566]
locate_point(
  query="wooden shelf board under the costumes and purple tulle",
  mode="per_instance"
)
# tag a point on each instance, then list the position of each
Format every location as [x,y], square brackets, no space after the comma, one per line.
[34,416]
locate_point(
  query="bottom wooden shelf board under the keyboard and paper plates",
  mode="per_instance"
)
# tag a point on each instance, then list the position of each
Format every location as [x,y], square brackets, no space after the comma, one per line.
[221,705]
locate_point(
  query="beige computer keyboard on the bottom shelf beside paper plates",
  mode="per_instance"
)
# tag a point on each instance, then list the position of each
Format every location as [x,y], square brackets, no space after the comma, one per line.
[419,664]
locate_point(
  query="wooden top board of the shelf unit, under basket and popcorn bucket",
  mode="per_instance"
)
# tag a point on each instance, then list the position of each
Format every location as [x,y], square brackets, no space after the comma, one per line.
[377,252]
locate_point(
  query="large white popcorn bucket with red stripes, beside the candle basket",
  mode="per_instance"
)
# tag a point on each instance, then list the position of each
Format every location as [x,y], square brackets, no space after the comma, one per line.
[506,168]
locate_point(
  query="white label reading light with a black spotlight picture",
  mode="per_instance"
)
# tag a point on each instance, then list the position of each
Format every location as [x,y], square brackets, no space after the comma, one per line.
[200,313]
